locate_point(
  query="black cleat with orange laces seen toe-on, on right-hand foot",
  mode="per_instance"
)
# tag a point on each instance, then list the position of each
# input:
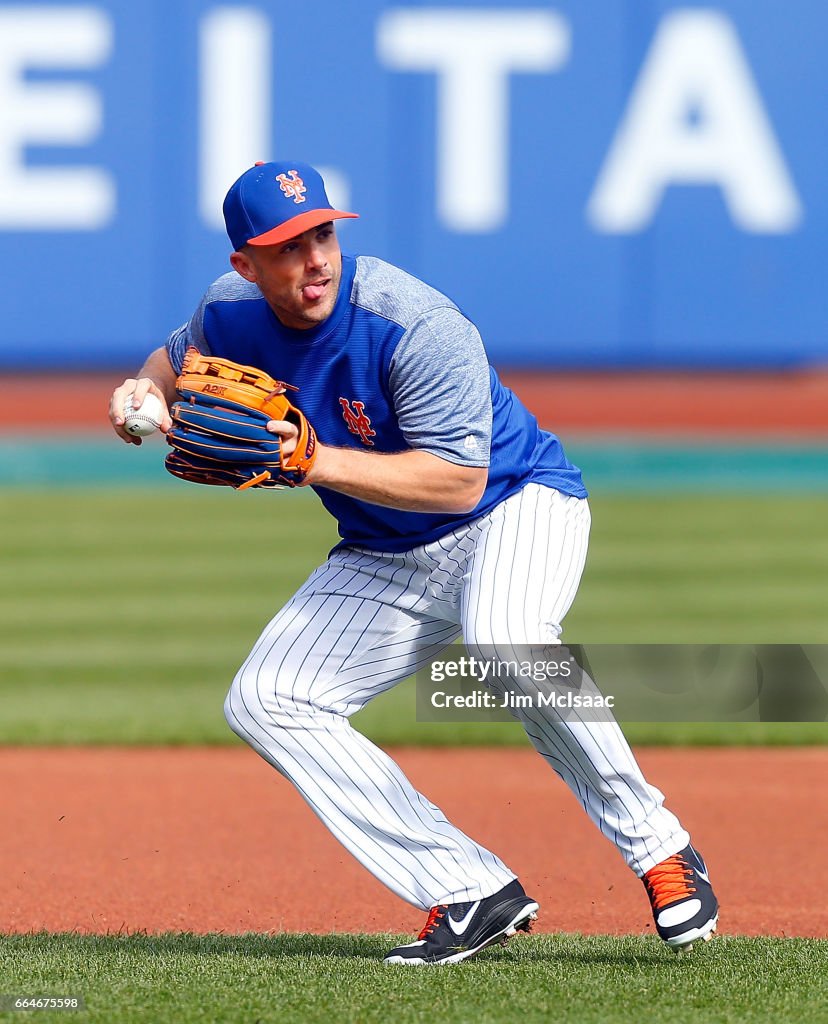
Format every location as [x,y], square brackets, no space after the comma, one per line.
[685,907]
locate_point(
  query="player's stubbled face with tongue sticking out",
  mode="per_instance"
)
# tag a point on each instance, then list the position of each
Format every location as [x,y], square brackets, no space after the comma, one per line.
[298,278]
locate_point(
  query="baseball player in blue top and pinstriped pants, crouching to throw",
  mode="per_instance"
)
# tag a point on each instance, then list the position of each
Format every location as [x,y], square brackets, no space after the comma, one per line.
[457,516]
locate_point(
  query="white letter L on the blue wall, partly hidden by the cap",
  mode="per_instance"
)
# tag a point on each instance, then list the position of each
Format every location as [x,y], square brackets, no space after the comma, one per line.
[235,102]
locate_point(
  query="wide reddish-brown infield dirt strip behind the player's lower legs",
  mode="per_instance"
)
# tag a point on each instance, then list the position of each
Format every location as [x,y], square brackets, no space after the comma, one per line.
[213,840]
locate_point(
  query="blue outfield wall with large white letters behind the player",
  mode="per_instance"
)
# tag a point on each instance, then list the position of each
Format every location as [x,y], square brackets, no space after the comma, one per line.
[597,183]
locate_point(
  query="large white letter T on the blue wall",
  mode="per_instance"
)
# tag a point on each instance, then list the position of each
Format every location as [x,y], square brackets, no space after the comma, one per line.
[473,53]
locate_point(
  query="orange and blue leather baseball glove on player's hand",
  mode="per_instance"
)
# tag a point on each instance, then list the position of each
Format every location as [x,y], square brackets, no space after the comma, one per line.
[220,434]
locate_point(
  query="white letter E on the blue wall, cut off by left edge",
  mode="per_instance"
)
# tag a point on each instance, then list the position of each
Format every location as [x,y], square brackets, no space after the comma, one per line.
[52,199]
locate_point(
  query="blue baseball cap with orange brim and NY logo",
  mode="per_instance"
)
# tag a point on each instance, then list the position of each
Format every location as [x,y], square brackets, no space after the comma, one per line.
[272,203]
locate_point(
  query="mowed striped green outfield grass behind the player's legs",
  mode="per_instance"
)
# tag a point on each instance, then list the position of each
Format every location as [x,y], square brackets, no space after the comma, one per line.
[127,613]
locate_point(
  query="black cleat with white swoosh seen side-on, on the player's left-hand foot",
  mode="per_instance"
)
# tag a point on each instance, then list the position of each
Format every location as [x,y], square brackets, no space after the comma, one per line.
[457,931]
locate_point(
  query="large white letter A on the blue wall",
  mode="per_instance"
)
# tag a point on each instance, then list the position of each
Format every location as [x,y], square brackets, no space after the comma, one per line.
[695,69]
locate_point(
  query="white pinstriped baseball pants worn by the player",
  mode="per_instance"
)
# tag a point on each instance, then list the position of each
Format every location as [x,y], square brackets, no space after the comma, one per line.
[365,621]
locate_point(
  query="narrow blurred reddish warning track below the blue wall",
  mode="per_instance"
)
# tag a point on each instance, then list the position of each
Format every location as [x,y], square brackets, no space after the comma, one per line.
[793,405]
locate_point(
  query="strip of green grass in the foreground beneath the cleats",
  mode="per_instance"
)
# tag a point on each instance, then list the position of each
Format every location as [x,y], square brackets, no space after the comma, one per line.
[179,979]
